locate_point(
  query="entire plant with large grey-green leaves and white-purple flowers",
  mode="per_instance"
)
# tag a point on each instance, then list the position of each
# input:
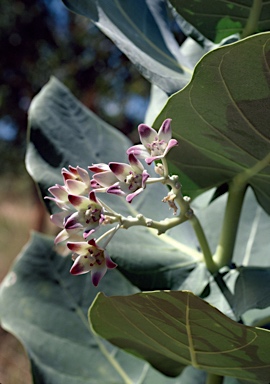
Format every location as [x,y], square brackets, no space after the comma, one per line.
[180,222]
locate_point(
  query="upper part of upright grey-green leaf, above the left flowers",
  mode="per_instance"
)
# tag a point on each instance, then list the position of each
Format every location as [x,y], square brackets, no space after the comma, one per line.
[63,132]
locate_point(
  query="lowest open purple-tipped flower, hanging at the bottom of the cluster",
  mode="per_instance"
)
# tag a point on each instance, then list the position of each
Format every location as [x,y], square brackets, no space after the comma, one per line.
[89,257]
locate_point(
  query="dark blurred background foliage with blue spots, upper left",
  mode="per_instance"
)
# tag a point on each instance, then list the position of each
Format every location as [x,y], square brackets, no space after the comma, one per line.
[42,38]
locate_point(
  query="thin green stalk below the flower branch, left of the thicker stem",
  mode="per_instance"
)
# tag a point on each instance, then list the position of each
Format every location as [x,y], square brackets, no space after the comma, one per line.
[207,254]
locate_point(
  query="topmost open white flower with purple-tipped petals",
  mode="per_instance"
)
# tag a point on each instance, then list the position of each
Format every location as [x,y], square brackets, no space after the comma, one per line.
[155,144]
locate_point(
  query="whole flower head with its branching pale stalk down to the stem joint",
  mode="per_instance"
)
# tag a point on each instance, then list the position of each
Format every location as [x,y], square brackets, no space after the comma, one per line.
[83,213]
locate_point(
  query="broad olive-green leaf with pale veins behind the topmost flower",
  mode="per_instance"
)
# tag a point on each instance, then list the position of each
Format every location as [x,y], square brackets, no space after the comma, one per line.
[221,119]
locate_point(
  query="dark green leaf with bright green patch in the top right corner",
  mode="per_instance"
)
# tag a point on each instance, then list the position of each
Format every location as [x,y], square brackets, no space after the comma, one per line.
[217,19]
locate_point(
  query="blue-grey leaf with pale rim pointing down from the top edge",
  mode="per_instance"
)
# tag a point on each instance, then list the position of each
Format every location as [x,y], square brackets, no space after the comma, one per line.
[141,30]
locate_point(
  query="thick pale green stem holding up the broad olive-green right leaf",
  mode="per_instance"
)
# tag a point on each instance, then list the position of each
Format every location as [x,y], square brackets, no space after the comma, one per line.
[224,252]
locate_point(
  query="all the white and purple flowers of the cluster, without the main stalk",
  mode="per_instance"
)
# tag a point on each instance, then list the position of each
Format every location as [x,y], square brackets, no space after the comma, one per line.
[82,212]
